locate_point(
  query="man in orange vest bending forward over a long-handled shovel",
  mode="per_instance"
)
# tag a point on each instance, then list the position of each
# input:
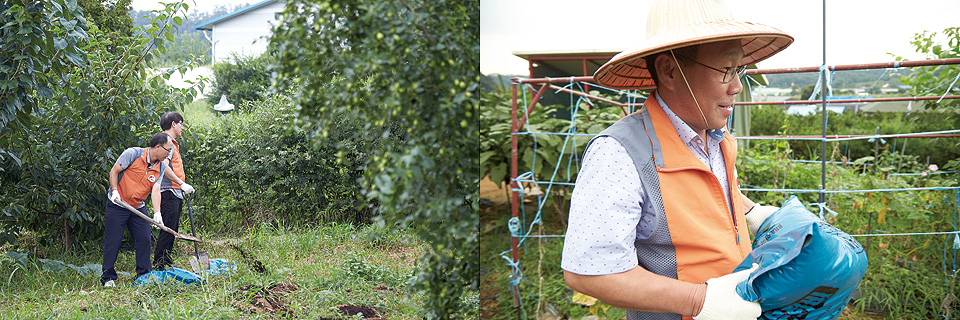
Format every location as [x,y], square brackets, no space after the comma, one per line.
[131,181]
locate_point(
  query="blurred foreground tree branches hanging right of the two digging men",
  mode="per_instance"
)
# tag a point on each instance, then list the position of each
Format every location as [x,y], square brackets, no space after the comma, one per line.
[406,72]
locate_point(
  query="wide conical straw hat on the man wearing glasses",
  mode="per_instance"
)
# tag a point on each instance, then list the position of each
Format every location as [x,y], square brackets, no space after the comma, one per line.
[673,24]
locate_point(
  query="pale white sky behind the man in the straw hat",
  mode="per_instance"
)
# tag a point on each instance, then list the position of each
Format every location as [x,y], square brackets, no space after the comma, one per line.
[858,31]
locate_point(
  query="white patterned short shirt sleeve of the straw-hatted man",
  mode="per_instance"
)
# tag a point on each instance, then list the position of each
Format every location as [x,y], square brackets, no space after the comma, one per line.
[605,212]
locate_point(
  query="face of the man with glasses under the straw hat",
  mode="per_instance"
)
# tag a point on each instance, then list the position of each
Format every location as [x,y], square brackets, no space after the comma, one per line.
[714,97]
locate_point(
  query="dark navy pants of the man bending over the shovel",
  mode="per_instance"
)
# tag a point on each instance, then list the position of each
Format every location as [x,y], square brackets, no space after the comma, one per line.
[117,219]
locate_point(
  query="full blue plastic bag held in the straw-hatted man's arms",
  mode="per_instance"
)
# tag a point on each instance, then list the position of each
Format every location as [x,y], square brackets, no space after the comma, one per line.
[808,268]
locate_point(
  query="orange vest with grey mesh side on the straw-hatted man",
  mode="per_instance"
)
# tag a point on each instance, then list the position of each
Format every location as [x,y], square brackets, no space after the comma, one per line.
[695,237]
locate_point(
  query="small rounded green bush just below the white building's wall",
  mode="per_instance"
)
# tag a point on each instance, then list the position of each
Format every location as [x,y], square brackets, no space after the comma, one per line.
[243,81]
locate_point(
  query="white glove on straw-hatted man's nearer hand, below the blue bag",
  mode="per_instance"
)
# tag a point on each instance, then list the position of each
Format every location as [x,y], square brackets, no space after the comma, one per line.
[722,301]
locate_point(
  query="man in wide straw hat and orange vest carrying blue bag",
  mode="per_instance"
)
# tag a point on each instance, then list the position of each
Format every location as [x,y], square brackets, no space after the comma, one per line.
[657,219]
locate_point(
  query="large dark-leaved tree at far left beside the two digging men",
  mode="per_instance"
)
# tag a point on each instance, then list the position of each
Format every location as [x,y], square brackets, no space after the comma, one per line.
[81,117]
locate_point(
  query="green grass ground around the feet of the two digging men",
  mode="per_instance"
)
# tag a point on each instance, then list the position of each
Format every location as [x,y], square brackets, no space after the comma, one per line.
[309,274]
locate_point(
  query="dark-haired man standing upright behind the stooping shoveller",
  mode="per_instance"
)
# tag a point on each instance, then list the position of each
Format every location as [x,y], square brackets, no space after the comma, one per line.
[169,195]
